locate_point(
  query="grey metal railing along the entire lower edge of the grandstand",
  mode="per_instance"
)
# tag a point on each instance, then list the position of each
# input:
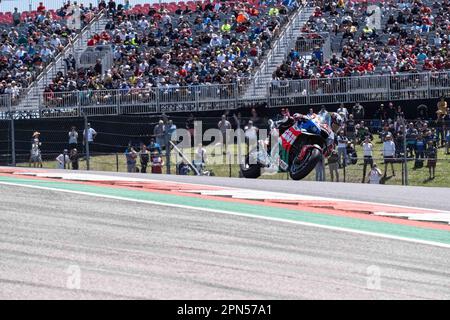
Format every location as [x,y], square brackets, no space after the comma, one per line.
[173,98]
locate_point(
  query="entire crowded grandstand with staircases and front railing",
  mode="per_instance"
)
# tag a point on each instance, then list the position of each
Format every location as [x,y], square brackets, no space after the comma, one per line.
[215,55]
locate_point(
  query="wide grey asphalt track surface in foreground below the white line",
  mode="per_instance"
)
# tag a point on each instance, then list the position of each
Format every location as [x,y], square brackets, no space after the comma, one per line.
[136,250]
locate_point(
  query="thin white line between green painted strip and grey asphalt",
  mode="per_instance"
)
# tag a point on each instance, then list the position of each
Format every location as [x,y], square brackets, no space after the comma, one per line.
[249,215]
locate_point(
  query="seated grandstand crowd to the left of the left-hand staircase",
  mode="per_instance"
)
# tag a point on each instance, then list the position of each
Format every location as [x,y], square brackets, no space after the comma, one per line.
[30,40]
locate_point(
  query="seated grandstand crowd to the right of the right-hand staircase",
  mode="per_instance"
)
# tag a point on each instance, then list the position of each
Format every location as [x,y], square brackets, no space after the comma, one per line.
[413,36]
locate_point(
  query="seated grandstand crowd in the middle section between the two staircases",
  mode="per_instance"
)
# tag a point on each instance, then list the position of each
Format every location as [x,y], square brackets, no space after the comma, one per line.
[180,45]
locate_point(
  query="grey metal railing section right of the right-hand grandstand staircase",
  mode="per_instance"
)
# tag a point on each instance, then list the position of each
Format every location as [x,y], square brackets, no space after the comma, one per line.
[411,86]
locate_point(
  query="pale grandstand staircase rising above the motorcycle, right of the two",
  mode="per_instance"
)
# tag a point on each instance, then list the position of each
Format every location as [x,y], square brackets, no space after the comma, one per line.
[276,56]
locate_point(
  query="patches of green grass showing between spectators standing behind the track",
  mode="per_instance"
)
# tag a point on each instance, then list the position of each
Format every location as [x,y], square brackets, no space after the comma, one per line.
[416,177]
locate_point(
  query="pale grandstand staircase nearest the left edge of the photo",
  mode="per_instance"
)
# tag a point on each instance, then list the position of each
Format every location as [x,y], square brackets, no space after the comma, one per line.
[32,97]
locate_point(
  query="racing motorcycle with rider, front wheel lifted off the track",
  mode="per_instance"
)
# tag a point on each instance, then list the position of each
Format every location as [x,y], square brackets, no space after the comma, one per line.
[295,145]
